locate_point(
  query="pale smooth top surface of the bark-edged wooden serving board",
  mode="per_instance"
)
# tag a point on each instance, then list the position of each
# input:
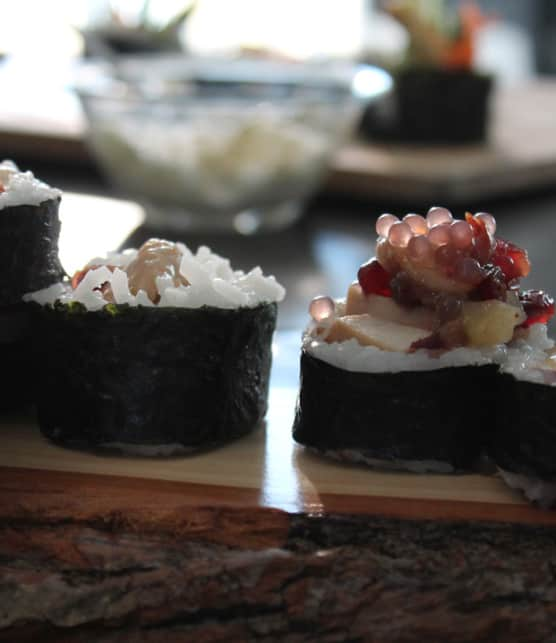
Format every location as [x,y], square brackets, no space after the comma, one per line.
[265,470]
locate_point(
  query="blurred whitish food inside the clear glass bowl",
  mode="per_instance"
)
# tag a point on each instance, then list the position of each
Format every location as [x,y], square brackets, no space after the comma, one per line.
[227,158]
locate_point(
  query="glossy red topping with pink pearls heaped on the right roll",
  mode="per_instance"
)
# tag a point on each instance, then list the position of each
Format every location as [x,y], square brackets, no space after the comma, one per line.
[440,263]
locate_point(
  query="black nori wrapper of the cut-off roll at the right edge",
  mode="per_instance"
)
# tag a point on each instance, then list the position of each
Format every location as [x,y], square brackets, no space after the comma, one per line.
[524,440]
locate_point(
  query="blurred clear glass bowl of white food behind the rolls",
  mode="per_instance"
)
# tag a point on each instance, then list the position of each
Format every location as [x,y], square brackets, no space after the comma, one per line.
[235,145]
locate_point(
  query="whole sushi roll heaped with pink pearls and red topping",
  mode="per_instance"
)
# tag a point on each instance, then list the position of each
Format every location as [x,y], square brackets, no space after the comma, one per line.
[401,373]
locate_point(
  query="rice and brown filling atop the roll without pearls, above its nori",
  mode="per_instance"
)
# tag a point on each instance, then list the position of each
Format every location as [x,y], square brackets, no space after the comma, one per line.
[164,274]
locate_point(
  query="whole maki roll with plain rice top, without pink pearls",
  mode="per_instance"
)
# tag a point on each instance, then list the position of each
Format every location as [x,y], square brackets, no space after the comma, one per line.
[155,351]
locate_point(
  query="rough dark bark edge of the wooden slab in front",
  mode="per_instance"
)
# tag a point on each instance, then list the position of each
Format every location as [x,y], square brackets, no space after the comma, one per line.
[110,559]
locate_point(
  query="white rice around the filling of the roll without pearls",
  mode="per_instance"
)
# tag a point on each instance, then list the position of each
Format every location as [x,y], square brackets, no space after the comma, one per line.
[212,282]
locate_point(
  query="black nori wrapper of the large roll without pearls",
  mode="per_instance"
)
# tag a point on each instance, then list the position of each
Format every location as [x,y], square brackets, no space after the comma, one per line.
[153,376]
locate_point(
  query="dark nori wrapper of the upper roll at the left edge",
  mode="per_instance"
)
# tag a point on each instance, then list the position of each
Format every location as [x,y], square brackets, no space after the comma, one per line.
[29,260]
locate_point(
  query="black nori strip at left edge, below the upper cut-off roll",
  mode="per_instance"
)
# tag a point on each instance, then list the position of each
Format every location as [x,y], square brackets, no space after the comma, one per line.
[17,357]
